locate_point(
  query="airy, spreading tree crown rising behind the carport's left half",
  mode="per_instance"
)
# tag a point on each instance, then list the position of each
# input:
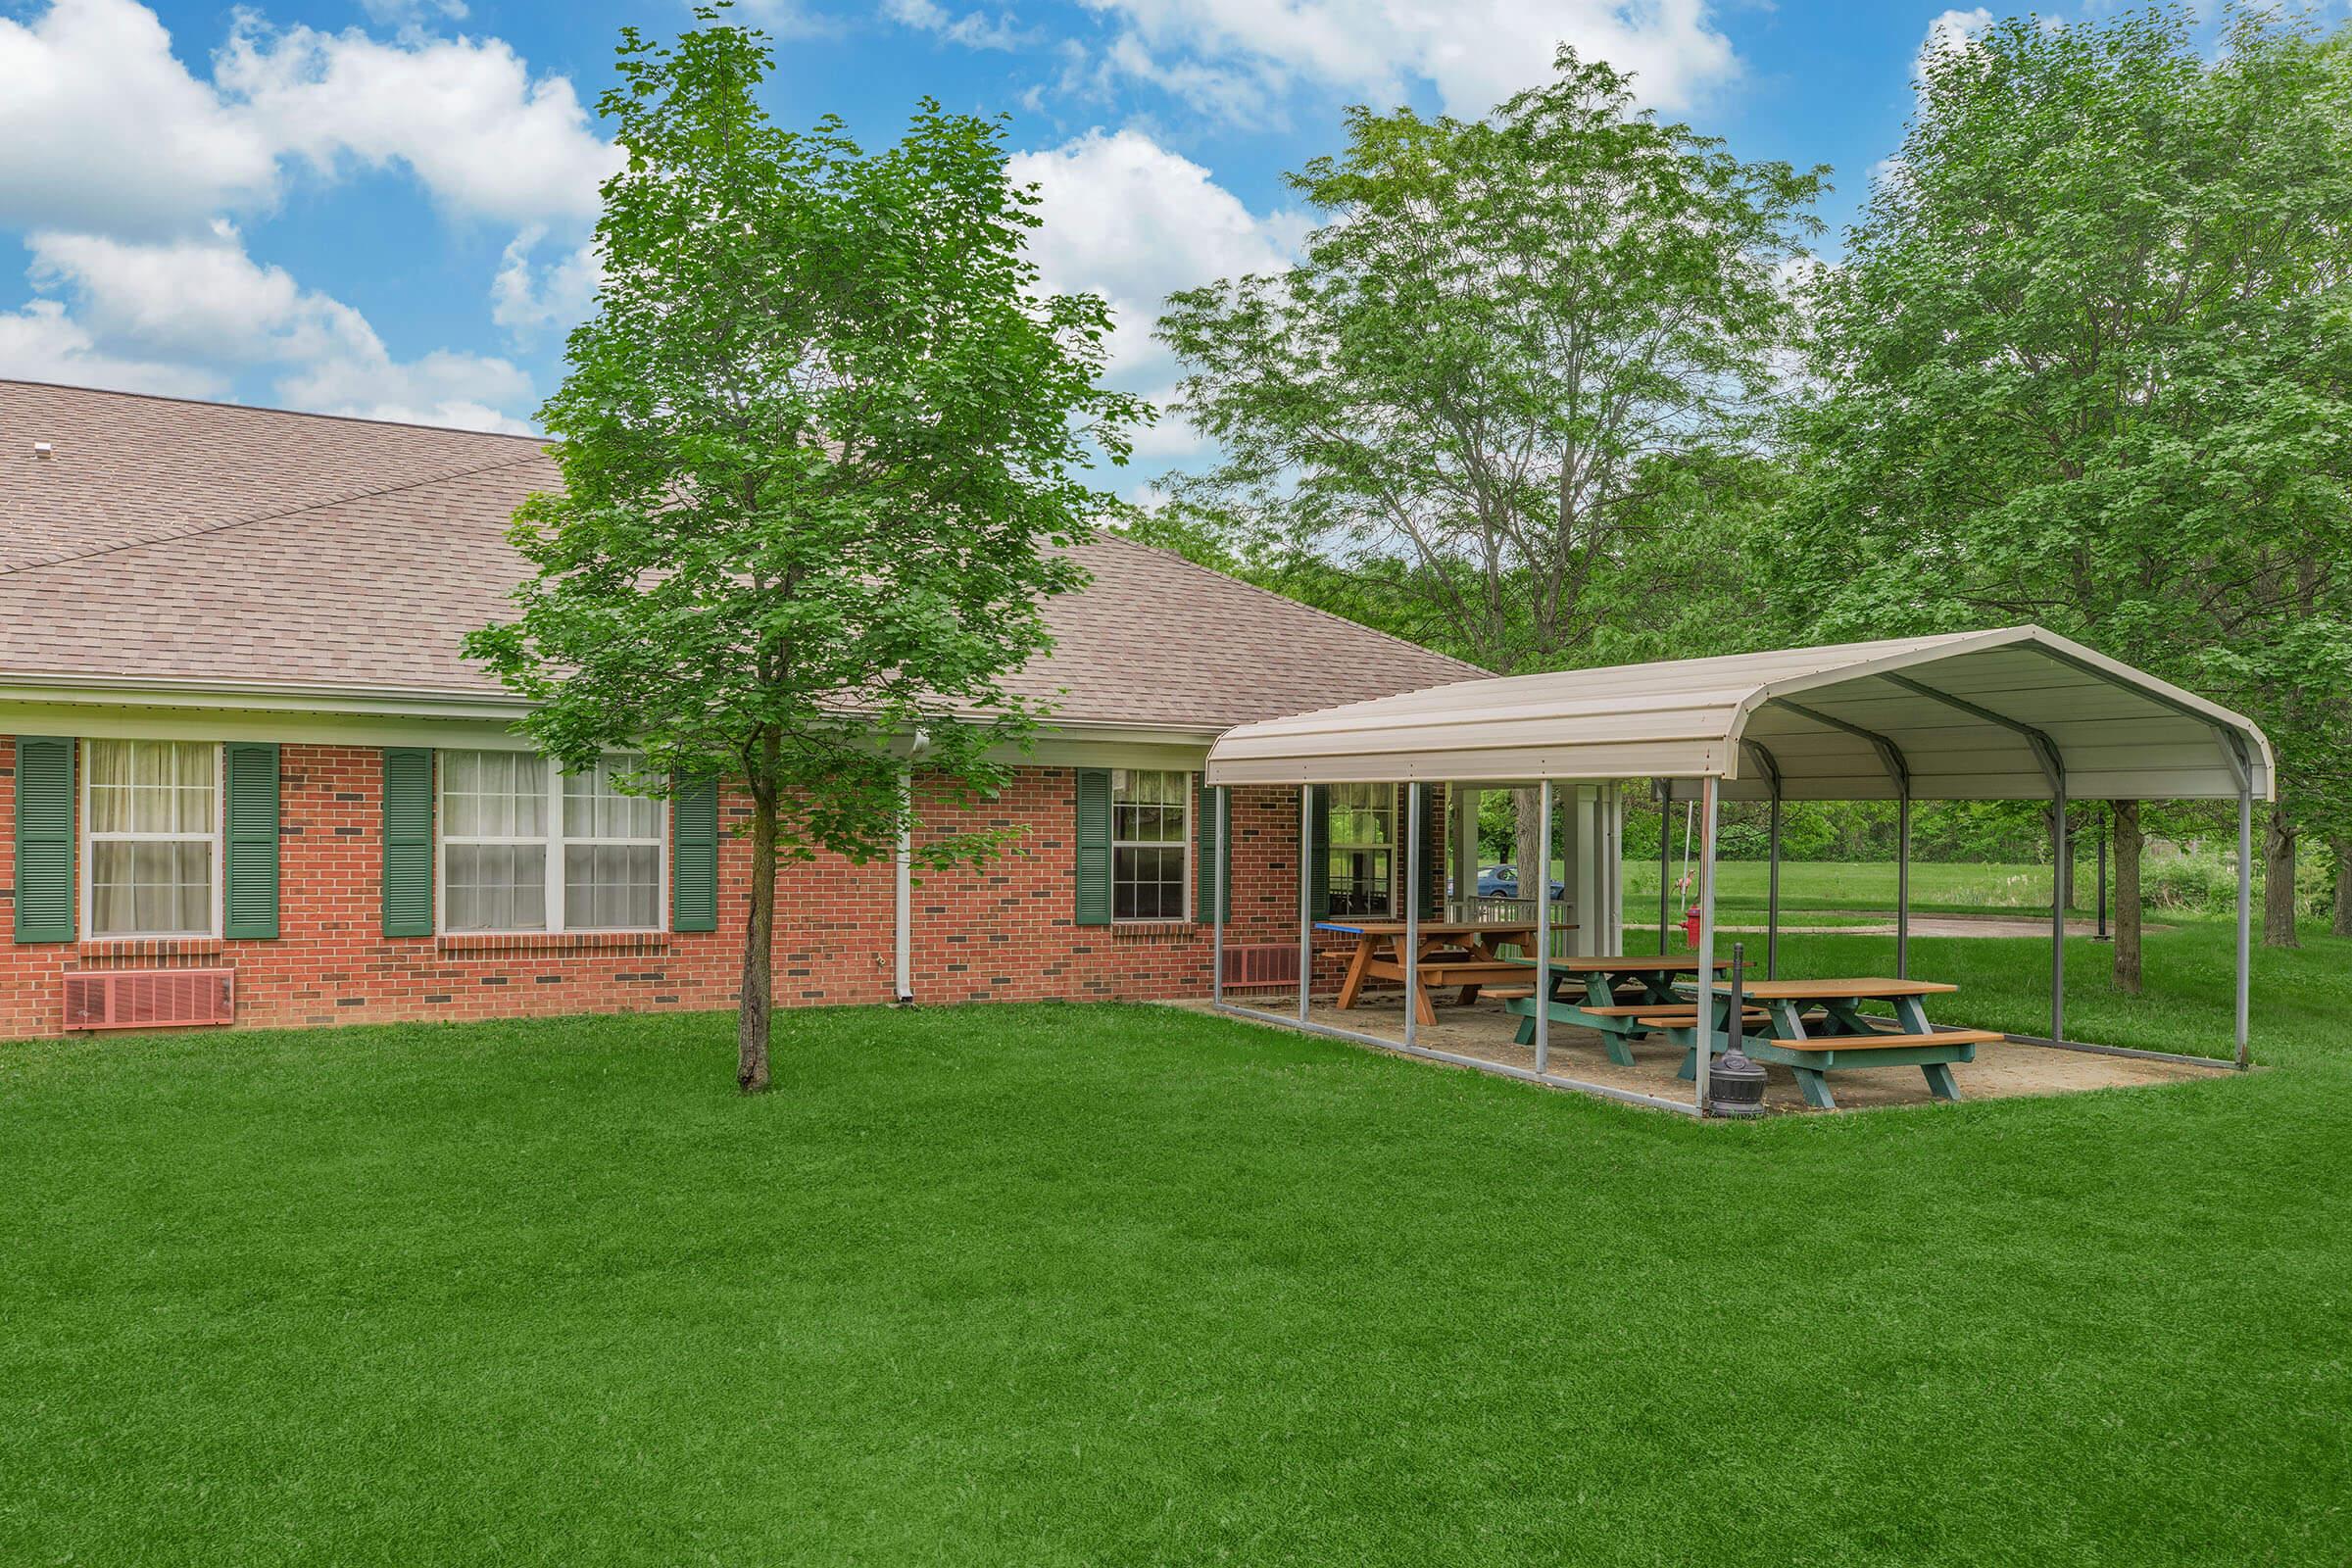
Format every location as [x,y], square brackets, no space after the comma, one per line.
[1495,351]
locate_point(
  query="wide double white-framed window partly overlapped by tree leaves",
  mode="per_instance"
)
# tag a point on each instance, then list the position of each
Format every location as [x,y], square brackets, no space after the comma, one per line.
[528,847]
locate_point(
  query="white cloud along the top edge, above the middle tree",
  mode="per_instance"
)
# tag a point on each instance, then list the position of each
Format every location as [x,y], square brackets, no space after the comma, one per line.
[1234,55]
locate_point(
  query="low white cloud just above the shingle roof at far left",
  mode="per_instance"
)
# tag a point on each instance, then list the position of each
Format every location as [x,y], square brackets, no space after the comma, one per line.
[203,304]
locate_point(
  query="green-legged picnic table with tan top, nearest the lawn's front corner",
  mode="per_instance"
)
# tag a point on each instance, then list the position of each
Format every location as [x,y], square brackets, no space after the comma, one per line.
[1819,1026]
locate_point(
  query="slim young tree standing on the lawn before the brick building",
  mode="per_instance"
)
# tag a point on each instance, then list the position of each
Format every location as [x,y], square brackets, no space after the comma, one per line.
[820,445]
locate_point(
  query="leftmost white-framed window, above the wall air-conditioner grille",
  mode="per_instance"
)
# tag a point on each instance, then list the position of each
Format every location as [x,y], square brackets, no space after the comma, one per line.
[152,838]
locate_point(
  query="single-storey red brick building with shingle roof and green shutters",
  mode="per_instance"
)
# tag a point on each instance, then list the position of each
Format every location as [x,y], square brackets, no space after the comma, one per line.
[246,772]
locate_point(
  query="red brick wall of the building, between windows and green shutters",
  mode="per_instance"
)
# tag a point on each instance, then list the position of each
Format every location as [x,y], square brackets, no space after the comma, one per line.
[1001,932]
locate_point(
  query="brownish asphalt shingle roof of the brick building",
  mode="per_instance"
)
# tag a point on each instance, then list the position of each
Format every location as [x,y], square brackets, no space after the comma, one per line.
[211,542]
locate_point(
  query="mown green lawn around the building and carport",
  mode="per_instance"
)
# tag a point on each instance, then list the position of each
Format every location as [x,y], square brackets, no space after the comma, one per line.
[1142,1287]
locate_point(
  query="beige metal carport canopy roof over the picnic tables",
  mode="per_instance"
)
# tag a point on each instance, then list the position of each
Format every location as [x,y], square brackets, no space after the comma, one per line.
[2012,713]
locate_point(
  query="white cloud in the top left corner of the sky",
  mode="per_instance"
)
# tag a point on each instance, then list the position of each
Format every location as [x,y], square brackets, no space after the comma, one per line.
[100,126]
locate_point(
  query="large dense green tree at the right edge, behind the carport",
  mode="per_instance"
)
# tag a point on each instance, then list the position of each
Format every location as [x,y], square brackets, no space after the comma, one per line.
[2087,366]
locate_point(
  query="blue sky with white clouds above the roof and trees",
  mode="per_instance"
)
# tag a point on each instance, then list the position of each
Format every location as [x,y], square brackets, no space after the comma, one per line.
[382,208]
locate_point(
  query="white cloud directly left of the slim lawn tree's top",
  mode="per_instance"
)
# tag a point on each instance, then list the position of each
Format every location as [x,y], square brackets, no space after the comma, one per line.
[465,116]
